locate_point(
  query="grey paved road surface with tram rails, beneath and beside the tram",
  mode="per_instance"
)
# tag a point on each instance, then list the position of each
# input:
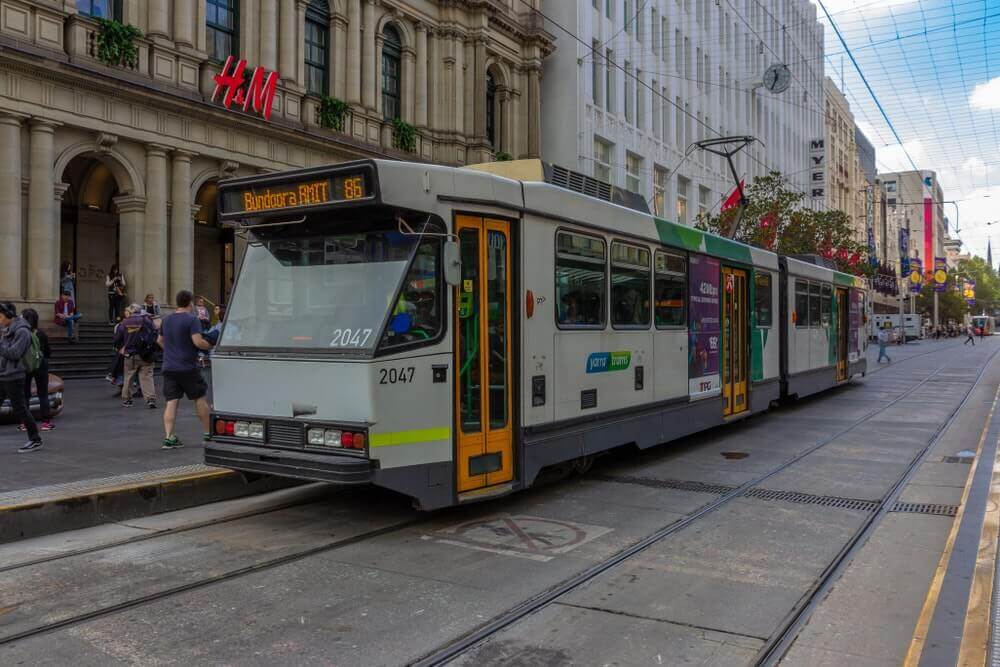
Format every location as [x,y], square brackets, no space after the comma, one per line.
[355,577]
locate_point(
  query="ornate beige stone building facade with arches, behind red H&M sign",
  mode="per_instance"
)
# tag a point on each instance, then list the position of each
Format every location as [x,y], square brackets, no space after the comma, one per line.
[105,164]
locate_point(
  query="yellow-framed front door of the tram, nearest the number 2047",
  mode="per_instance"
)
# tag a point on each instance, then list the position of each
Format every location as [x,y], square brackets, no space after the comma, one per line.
[485,451]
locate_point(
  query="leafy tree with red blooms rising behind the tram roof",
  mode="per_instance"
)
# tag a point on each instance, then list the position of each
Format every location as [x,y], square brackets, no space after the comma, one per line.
[774,218]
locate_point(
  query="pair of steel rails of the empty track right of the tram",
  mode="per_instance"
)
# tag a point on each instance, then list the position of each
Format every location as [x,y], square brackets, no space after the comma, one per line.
[776,645]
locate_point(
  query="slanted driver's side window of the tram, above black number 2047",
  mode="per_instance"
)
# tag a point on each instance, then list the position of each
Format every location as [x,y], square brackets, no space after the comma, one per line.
[416,316]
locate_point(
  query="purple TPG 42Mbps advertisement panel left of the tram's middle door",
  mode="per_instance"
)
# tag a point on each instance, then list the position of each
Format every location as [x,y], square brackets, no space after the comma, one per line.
[704,330]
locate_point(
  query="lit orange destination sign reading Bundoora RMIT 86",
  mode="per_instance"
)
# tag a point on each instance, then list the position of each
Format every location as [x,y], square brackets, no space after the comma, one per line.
[278,196]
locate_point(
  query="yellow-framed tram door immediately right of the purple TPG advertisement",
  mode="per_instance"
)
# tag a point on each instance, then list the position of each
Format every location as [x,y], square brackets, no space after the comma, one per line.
[734,361]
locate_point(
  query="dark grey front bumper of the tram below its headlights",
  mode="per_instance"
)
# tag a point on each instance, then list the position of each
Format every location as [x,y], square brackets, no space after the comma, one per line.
[334,468]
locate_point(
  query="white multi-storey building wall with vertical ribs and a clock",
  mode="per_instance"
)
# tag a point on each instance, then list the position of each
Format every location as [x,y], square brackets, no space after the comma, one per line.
[704,57]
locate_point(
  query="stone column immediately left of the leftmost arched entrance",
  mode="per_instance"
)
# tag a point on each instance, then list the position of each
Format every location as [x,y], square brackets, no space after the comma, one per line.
[43,224]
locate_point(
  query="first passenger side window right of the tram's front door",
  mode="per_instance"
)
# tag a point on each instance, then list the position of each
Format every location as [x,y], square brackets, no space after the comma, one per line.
[581,281]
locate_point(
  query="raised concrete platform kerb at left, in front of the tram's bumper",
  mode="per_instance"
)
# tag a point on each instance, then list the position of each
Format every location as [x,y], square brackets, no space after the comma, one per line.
[52,509]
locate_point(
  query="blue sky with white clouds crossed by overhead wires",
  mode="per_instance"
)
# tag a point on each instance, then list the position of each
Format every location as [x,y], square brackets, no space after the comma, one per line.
[934,67]
